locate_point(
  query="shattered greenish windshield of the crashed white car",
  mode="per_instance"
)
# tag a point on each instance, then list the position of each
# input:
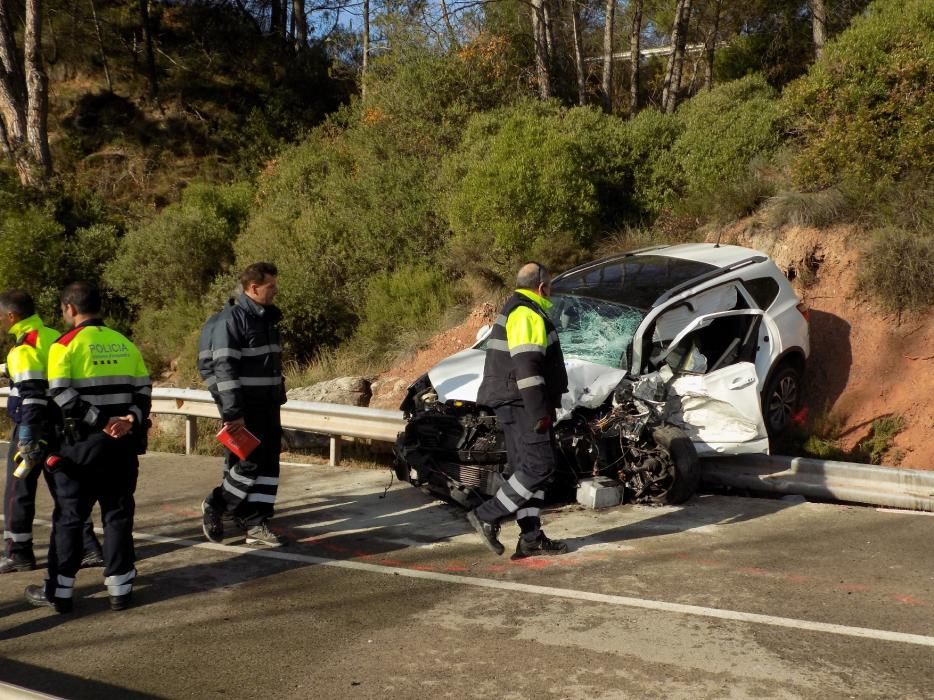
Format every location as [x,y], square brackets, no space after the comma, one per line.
[594,330]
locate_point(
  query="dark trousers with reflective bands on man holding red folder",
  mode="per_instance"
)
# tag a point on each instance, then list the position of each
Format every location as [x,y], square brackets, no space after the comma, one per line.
[249,487]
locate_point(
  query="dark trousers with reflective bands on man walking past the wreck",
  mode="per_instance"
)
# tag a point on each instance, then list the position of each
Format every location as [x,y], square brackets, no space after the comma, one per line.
[532,458]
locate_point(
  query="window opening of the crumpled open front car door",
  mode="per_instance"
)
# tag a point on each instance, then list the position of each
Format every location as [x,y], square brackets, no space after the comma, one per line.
[722,342]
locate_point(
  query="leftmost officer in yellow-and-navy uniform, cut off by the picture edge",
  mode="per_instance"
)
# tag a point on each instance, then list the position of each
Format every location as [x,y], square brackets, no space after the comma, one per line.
[28,409]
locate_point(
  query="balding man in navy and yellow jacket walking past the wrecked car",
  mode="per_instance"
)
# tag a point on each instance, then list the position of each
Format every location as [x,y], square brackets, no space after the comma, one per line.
[523,380]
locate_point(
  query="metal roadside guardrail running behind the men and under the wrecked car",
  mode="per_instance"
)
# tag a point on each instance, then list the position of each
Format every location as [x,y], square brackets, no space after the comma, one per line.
[838,481]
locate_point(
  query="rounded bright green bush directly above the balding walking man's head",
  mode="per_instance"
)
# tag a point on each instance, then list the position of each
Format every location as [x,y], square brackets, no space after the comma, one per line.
[531,172]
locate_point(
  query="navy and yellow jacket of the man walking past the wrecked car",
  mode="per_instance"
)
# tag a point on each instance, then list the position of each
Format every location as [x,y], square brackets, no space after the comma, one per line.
[524,363]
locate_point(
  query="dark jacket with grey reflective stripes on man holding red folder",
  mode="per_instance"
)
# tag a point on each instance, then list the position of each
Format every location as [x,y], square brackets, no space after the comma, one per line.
[240,358]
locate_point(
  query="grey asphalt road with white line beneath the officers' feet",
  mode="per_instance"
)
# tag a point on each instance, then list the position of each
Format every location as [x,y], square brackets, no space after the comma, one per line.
[395,597]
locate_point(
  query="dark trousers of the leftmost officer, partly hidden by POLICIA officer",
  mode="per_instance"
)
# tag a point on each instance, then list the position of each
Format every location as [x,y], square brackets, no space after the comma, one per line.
[19,509]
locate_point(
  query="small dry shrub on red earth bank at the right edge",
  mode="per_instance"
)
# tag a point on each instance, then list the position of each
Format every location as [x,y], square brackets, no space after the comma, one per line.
[898,268]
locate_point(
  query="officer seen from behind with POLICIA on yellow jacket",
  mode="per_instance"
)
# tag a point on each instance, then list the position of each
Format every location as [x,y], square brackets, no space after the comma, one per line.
[100,384]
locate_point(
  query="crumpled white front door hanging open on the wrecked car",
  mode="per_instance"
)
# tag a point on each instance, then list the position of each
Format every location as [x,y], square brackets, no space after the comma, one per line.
[713,394]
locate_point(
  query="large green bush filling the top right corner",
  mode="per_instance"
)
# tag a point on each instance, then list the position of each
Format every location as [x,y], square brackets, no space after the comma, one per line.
[863,111]
